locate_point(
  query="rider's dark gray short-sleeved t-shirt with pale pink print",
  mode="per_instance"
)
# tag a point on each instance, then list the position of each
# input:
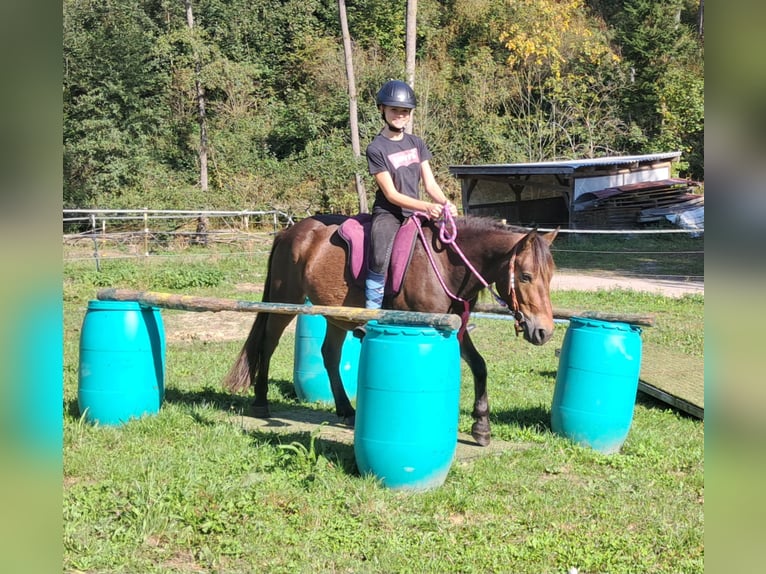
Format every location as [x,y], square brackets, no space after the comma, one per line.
[402,160]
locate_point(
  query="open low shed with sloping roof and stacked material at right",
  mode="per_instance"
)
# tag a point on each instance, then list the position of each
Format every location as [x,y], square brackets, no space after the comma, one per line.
[605,192]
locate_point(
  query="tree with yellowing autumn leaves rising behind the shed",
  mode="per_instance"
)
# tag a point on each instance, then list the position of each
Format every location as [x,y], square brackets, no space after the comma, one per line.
[564,79]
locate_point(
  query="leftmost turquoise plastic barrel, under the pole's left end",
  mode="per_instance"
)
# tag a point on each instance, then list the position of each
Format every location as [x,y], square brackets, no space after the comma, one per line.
[122,362]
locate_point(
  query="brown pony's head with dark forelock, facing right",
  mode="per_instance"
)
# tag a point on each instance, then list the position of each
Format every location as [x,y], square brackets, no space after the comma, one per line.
[526,286]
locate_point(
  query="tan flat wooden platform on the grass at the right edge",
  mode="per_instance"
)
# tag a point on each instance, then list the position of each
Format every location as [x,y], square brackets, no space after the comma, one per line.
[674,378]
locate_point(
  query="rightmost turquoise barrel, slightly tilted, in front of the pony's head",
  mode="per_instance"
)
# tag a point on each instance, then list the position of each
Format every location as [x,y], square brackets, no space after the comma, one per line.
[596,383]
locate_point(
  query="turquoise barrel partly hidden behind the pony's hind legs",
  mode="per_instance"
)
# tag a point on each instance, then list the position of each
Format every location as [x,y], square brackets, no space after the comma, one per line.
[310,377]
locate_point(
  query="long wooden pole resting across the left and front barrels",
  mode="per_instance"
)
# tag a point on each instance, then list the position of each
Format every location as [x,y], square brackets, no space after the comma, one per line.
[352,314]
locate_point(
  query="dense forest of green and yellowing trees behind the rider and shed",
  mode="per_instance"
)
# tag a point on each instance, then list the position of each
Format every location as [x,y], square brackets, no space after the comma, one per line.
[497,82]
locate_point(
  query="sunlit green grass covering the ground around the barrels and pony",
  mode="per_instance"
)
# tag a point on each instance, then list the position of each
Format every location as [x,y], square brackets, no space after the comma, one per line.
[191,490]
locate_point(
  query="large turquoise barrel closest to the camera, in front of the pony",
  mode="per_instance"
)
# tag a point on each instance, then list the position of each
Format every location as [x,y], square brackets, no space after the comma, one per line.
[407,405]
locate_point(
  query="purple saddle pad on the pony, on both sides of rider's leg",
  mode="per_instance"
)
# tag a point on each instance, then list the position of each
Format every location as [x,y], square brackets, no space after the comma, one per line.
[355,232]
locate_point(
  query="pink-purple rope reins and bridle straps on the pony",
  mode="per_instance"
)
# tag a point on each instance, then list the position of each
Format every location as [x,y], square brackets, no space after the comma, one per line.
[448,235]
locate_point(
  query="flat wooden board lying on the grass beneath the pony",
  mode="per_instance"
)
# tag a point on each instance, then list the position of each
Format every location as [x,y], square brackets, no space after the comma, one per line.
[307,420]
